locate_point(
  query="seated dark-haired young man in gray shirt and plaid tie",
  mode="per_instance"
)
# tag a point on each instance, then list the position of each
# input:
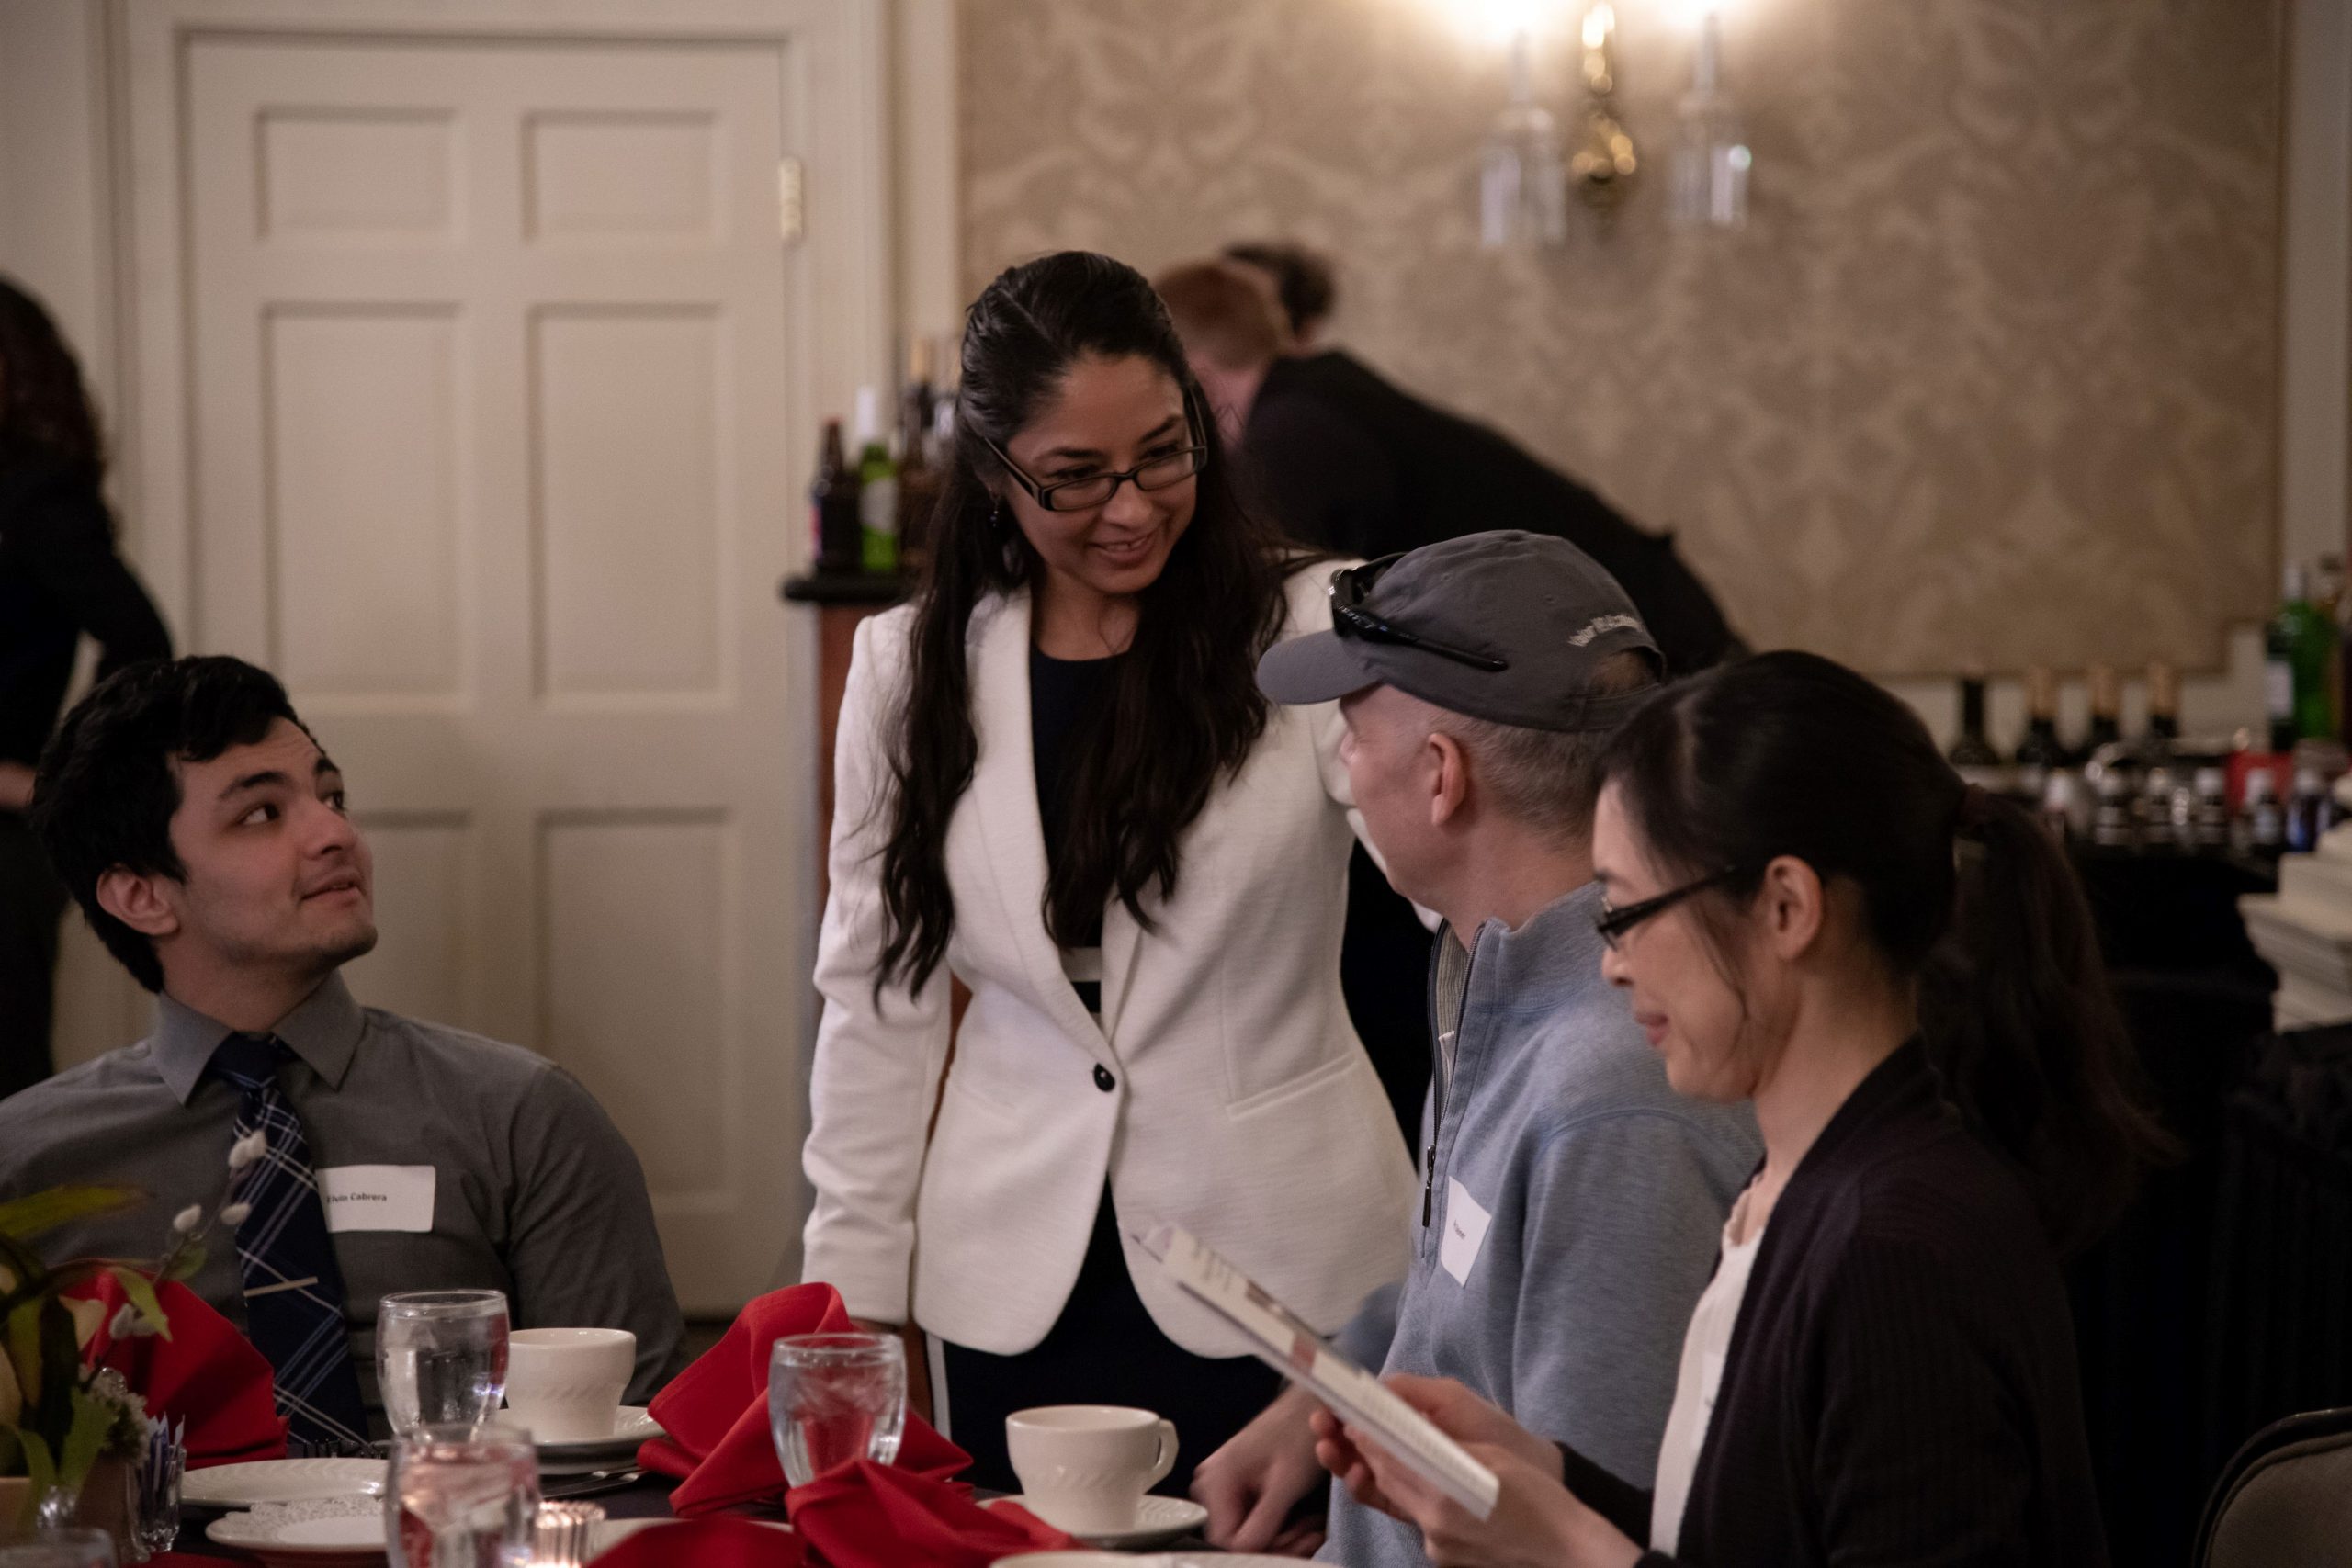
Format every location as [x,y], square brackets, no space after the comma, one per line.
[203,833]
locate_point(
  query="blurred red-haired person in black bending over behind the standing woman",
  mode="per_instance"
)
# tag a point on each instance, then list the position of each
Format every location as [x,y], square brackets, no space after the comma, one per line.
[1351,462]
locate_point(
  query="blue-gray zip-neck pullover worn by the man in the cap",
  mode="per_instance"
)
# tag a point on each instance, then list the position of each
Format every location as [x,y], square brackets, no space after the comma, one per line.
[1572,1209]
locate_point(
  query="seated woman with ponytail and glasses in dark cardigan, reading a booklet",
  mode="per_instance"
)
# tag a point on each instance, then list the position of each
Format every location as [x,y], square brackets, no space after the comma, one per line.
[1815,913]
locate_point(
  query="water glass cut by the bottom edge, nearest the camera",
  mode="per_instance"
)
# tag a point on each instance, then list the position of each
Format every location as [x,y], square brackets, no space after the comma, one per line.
[462,1496]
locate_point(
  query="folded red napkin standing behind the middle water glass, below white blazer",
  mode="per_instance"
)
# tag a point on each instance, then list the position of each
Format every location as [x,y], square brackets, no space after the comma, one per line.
[716,1412]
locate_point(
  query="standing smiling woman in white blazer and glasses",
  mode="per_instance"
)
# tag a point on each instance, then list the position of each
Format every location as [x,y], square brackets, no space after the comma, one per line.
[1060,784]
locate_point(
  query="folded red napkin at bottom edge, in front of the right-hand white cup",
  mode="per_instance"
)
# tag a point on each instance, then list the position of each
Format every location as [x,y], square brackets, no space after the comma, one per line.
[869,1515]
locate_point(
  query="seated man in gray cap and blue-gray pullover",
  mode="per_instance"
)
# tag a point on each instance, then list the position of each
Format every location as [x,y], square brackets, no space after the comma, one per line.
[1572,1202]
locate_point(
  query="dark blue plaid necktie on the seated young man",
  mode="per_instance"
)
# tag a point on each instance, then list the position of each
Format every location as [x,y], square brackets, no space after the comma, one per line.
[293,1285]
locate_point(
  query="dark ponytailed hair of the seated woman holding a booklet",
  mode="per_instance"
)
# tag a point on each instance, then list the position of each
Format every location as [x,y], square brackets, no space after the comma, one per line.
[1796,756]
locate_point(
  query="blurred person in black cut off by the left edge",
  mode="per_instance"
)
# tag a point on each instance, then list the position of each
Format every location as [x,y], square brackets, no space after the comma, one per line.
[60,577]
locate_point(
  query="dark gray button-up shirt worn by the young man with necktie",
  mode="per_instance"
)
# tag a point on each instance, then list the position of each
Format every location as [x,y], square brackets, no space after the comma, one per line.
[535,1191]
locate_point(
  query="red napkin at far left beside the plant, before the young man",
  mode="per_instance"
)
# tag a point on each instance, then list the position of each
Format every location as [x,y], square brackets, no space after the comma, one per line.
[206,1374]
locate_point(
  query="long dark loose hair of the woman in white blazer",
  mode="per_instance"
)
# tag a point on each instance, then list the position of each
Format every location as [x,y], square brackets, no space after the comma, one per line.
[1184,709]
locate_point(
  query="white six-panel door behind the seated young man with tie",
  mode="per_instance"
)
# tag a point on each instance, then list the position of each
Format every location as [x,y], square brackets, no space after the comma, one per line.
[490,389]
